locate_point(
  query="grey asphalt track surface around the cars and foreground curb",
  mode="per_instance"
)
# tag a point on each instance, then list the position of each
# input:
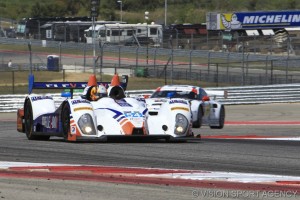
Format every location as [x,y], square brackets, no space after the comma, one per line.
[217,151]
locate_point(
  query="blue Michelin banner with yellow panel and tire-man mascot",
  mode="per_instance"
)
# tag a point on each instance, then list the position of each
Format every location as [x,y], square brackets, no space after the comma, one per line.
[253,20]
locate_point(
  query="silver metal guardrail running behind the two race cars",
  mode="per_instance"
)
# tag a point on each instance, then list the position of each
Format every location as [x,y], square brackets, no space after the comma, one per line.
[283,93]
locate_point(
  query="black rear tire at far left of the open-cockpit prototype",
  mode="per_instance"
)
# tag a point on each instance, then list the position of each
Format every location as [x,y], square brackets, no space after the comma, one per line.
[28,125]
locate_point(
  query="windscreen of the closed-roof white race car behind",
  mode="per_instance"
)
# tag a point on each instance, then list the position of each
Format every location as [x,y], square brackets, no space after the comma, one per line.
[174,94]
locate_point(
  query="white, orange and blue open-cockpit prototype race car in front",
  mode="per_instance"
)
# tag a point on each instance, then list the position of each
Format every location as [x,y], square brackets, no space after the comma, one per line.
[86,118]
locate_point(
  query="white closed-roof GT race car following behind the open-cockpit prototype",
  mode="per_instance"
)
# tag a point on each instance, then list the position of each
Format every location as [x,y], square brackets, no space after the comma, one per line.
[204,110]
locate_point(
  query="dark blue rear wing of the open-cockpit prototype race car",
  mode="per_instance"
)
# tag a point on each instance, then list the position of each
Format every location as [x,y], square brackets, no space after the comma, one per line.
[68,85]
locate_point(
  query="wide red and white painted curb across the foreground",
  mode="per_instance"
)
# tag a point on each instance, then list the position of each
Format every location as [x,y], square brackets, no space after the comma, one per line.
[152,176]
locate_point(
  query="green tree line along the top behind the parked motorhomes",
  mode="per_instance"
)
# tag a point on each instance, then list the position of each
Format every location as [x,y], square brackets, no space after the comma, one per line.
[179,11]
